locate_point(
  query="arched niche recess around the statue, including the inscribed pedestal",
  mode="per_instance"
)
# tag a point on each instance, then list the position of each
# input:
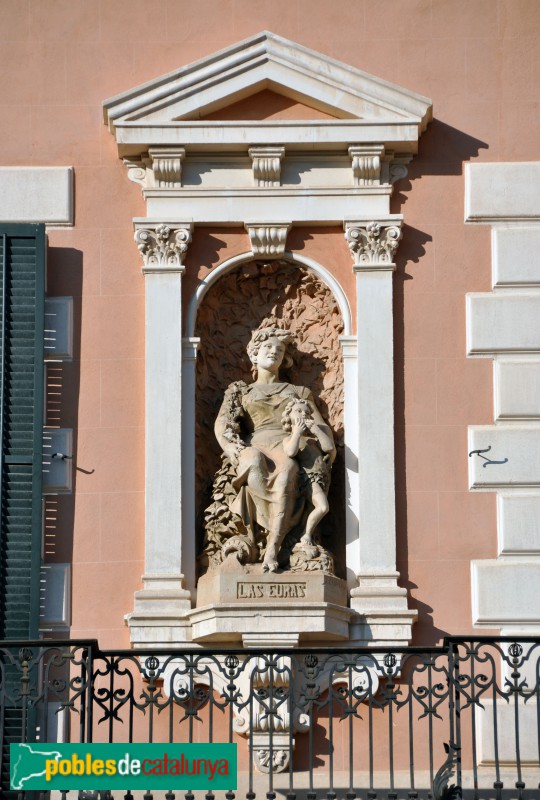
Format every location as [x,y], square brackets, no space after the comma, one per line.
[291,296]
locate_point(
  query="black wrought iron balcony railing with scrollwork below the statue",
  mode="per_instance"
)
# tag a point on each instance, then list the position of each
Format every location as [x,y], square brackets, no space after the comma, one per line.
[459,720]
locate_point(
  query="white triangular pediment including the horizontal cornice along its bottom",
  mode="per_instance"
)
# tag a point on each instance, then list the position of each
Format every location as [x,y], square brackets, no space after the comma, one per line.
[361,107]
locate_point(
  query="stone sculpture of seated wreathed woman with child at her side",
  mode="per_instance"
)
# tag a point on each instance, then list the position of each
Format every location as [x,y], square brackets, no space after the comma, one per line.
[279,447]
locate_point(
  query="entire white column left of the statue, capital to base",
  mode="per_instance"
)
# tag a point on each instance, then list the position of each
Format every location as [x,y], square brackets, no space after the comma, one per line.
[159,614]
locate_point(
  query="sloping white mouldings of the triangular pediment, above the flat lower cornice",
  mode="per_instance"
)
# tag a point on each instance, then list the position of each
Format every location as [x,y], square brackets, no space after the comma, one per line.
[266,63]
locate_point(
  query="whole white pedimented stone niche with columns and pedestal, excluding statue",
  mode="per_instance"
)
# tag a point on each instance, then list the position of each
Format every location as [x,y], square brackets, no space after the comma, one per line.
[205,156]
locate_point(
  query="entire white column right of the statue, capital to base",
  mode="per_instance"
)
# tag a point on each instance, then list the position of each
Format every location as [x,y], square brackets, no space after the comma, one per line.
[380,602]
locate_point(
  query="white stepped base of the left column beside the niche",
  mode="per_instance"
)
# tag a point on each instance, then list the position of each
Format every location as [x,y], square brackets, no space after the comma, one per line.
[160,616]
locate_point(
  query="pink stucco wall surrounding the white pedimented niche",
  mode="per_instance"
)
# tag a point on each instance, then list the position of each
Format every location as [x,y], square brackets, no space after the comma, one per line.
[479,62]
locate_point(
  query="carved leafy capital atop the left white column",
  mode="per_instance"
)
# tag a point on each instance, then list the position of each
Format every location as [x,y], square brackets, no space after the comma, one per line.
[163,247]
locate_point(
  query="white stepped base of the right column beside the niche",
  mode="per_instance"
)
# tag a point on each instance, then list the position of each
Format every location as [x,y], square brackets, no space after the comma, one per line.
[384,618]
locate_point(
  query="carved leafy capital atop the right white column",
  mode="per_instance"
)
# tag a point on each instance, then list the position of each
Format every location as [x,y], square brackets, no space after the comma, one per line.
[373,244]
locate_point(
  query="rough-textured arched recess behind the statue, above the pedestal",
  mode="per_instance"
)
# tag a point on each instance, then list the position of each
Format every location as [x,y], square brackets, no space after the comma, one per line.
[238,300]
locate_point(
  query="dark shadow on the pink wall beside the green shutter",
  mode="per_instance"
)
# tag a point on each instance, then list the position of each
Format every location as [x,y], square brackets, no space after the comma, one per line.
[62,384]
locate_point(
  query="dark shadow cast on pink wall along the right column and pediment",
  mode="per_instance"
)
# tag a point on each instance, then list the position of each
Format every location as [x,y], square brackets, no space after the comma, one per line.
[442,151]
